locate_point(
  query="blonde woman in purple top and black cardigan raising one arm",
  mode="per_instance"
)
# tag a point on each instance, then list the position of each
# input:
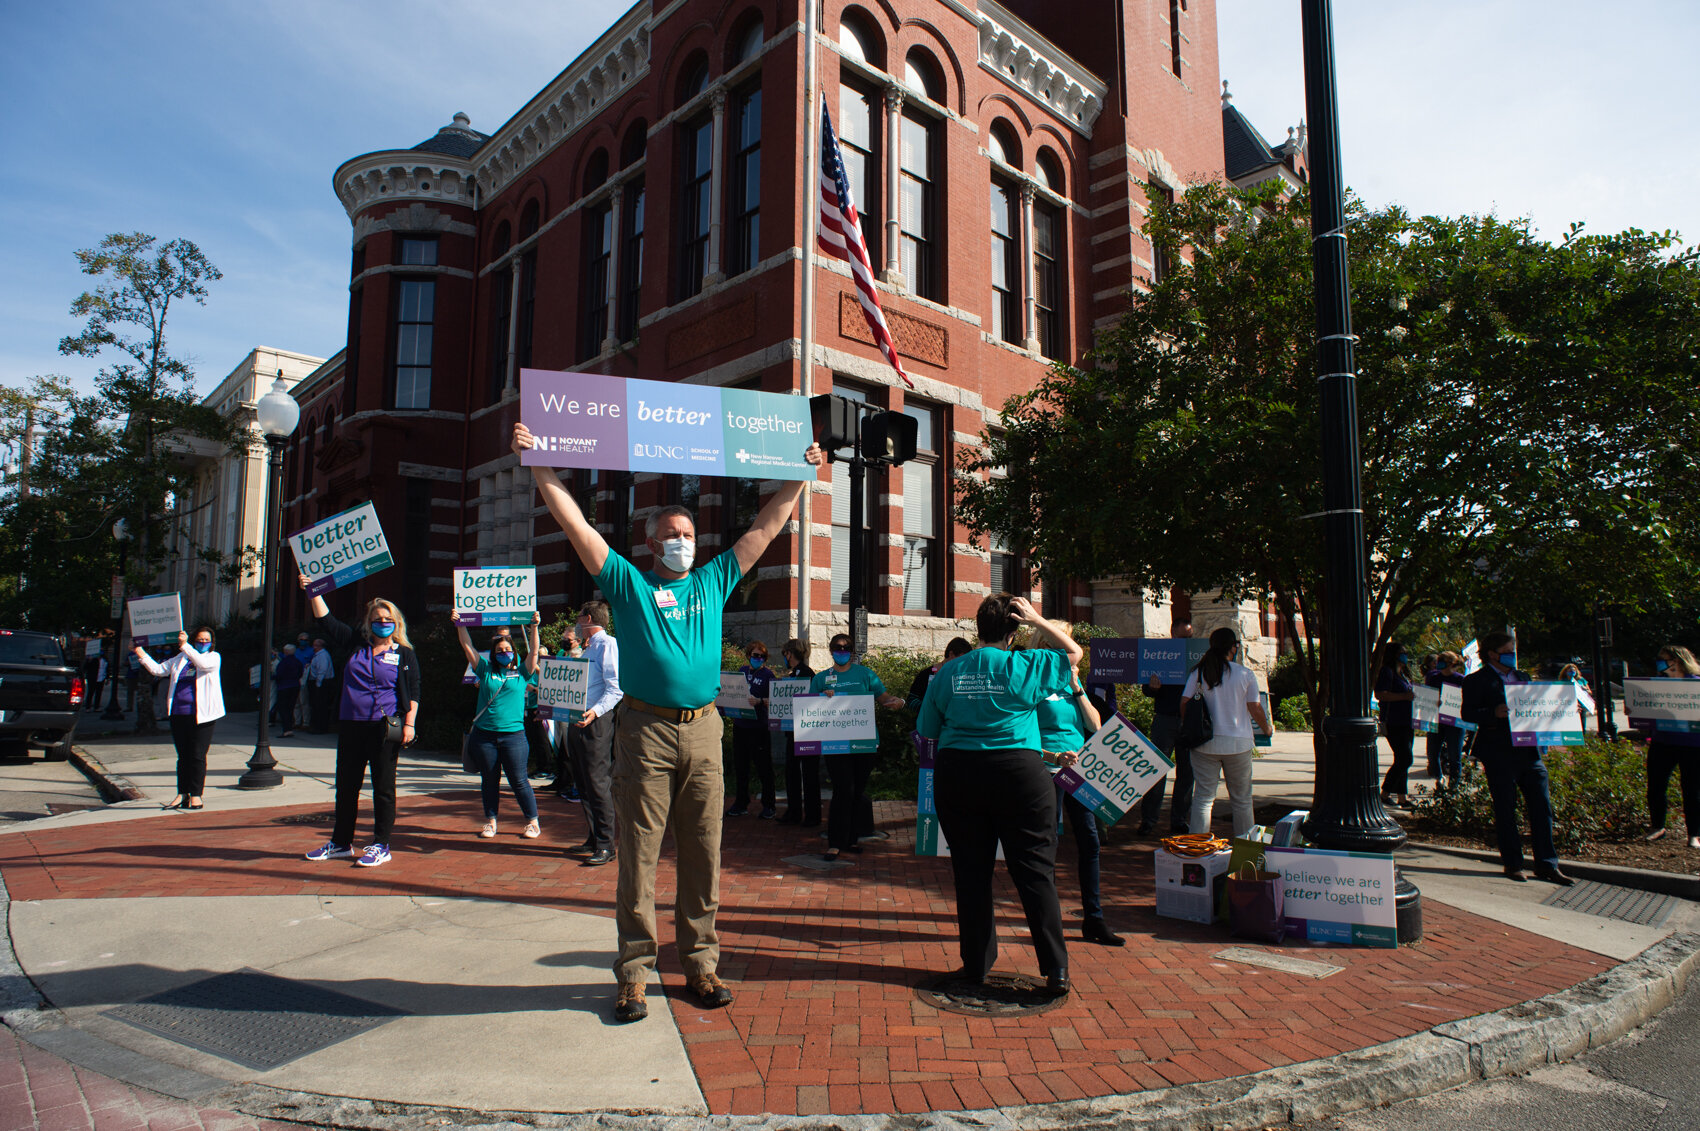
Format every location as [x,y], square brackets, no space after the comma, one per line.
[380,705]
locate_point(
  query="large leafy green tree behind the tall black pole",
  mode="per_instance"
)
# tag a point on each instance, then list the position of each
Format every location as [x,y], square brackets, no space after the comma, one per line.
[1521,407]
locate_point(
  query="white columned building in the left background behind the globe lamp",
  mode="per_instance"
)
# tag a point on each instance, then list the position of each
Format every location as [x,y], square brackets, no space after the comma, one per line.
[220,520]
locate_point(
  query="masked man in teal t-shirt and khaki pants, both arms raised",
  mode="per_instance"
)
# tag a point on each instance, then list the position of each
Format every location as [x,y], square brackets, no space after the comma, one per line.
[669,739]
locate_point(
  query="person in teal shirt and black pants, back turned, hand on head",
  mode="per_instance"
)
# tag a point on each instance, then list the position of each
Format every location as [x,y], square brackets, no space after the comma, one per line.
[990,783]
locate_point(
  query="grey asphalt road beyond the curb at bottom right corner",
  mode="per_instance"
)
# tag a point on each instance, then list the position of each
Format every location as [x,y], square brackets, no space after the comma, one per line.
[1645,1083]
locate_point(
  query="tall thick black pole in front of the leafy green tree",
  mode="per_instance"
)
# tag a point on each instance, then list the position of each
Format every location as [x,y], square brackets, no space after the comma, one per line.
[1347,810]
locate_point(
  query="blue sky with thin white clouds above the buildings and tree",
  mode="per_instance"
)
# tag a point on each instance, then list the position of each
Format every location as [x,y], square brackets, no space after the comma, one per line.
[224,123]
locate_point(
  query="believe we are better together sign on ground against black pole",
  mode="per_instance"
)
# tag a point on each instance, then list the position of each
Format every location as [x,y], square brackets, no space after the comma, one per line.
[1337,897]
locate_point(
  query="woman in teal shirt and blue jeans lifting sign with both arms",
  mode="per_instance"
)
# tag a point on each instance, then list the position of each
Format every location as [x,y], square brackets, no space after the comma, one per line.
[499,729]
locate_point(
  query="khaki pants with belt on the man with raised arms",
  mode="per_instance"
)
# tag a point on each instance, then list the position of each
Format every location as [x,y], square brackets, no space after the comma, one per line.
[667,771]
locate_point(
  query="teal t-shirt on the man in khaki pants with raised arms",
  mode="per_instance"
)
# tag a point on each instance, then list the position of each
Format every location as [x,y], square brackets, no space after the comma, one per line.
[671,632]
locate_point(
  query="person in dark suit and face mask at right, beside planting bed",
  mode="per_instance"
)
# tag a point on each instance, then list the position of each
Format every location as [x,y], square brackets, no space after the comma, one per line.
[1510,770]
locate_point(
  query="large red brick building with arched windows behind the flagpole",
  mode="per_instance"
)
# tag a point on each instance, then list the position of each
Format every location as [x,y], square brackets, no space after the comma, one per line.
[643,217]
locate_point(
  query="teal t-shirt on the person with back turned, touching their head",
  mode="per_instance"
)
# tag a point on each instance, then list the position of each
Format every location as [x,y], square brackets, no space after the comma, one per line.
[989,700]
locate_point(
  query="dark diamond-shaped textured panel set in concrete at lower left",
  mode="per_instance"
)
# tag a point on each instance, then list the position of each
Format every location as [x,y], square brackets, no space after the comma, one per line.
[254,1020]
